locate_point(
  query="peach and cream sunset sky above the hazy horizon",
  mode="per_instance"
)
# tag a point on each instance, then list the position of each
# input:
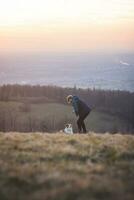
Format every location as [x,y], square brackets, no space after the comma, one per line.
[66,25]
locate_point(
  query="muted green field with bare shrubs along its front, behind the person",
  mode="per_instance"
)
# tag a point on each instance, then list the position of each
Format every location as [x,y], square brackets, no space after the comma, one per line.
[53,116]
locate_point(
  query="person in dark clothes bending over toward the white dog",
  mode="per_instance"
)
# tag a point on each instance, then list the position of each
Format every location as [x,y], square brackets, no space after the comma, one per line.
[81,110]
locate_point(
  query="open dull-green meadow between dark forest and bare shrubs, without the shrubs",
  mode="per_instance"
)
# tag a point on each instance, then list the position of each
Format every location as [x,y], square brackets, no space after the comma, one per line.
[55,113]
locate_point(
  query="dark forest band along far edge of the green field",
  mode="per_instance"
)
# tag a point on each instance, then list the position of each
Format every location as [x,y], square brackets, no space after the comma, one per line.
[118,103]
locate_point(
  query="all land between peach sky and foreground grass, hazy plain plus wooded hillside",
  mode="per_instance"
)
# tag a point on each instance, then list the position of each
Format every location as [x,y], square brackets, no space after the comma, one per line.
[34,87]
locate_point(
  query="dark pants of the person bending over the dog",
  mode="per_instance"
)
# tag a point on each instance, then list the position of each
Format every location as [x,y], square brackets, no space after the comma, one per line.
[81,124]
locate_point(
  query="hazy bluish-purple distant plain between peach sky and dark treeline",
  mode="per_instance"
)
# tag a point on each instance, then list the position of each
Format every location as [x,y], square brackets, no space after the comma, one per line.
[112,71]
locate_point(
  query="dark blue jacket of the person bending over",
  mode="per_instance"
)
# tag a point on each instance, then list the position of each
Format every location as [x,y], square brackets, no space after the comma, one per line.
[79,106]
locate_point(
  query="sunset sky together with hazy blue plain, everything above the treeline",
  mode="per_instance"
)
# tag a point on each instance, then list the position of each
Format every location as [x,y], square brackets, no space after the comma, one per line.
[68,42]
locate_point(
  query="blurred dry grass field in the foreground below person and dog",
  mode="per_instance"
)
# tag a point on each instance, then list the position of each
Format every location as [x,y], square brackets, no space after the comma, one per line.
[40,166]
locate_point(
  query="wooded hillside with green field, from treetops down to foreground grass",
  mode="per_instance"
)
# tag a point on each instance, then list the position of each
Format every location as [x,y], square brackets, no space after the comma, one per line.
[44,108]
